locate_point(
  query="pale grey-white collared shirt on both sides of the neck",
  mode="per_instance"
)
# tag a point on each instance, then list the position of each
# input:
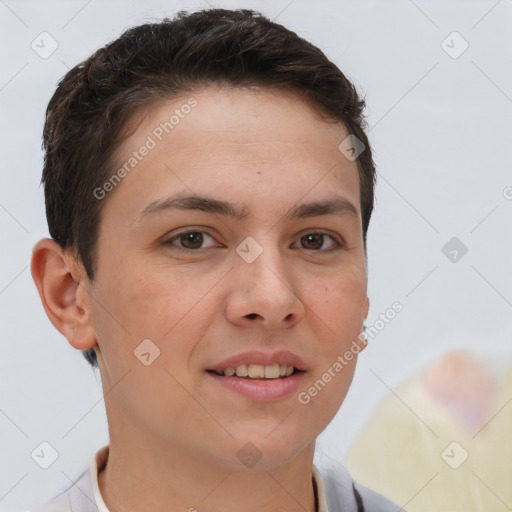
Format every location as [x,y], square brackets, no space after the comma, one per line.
[334,490]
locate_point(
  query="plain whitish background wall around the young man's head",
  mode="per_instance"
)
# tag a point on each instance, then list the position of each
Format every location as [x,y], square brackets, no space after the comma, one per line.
[440,130]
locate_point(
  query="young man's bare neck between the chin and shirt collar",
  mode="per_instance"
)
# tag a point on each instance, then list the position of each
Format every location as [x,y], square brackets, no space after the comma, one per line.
[143,475]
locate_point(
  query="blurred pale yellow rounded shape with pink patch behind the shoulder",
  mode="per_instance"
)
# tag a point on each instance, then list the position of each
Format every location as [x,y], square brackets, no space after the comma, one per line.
[444,443]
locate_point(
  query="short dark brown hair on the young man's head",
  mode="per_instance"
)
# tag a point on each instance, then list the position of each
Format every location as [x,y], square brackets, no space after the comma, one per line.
[86,116]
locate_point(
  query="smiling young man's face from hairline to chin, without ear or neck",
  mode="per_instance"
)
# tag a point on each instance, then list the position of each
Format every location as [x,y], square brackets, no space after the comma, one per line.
[269,261]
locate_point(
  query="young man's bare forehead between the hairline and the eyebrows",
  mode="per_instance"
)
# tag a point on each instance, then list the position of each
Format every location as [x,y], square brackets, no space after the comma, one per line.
[252,144]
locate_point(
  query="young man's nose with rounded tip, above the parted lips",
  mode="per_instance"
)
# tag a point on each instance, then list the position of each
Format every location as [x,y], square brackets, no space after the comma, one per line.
[264,293]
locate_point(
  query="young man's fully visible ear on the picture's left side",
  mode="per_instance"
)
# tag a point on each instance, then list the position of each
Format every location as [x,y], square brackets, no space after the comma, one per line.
[61,282]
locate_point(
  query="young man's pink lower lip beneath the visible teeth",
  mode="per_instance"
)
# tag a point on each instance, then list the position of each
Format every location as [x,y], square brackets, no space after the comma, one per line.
[262,390]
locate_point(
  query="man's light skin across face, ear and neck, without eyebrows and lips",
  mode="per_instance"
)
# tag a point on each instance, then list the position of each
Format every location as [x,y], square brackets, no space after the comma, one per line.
[175,433]
